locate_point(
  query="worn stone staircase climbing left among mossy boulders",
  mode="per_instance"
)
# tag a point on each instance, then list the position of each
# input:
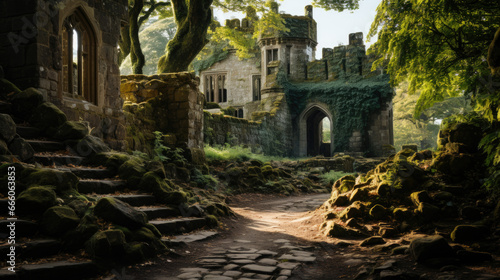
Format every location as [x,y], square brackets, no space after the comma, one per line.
[38,257]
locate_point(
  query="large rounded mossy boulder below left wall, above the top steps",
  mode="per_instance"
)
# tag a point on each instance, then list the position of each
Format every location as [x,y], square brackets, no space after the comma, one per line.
[25,102]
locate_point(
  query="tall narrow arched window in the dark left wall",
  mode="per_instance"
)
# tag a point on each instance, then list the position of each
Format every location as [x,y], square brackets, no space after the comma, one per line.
[79,58]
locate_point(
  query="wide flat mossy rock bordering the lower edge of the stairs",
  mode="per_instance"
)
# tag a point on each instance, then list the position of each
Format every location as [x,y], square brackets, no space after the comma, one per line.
[61,180]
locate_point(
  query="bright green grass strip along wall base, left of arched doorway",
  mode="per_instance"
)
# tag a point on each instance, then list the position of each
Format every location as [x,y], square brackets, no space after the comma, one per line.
[238,153]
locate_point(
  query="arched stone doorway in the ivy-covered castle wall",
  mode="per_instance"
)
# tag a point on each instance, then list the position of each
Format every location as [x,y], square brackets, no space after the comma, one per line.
[313,130]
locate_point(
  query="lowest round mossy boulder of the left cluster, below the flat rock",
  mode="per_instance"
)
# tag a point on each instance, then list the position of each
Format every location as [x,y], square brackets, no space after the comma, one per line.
[58,220]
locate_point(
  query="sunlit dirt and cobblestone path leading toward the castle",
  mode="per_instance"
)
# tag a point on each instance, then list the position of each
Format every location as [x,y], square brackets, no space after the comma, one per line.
[278,238]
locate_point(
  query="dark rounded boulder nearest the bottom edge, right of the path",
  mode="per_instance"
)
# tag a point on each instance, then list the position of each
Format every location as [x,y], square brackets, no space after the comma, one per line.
[426,248]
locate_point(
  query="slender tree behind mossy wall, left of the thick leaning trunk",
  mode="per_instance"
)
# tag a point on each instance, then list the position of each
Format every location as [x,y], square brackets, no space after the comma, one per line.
[139,12]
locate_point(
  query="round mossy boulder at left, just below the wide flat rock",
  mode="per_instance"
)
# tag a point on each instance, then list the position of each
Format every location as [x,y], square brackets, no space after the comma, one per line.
[35,200]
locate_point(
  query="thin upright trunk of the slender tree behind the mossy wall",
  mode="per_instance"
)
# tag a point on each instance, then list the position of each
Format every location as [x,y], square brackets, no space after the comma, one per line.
[136,55]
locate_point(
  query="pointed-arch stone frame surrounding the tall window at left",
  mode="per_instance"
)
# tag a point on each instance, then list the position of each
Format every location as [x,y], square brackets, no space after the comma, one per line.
[90,96]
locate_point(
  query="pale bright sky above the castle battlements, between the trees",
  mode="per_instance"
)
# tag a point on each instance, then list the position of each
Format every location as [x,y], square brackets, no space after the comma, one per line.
[333,27]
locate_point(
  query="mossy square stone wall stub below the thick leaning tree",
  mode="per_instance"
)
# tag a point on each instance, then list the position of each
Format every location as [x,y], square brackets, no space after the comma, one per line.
[170,103]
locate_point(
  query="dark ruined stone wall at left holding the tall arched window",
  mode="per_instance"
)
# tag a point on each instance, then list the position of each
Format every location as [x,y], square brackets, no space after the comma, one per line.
[32,56]
